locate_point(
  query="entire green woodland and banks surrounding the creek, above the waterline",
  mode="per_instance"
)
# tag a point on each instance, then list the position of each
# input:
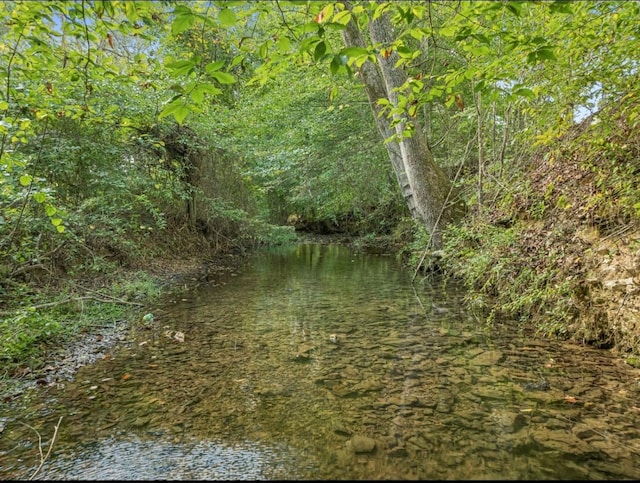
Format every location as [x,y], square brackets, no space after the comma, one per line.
[493,141]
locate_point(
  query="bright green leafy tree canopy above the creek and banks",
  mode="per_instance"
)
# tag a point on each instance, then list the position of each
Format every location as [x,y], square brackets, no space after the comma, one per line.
[112,111]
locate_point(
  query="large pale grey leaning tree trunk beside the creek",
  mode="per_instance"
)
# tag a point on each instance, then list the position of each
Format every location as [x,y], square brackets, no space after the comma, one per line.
[425,187]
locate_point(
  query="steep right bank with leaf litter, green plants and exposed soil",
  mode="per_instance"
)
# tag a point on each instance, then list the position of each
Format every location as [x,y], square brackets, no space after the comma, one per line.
[558,248]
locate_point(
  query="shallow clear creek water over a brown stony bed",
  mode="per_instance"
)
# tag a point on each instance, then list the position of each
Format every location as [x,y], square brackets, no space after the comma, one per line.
[317,362]
